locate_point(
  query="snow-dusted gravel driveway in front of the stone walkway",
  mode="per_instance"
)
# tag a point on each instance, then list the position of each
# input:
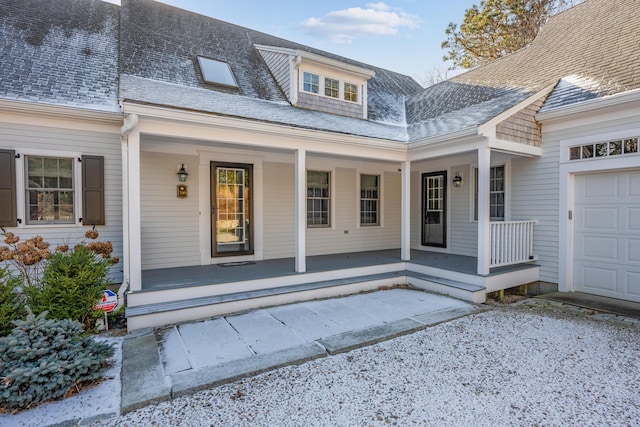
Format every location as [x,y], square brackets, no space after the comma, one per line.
[510,366]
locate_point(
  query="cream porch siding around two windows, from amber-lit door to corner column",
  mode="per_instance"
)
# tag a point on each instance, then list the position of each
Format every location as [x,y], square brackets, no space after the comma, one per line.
[279,210]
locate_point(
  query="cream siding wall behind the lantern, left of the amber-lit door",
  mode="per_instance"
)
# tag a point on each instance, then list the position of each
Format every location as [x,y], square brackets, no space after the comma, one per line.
[169,226]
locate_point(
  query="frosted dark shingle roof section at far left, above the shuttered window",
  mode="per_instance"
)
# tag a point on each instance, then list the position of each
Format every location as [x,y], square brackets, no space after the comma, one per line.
[60,52]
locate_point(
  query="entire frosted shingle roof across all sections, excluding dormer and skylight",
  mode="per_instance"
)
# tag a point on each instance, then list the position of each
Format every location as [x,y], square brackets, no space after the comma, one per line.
[66,52]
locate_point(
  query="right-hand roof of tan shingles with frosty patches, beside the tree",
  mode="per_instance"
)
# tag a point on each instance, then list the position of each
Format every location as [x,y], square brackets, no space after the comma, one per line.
[594,47]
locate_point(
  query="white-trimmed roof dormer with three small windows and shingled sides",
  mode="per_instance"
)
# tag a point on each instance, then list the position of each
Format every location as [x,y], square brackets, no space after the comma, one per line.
[319,83]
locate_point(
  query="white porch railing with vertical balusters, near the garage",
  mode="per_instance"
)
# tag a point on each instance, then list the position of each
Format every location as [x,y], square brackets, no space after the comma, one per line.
[511,242]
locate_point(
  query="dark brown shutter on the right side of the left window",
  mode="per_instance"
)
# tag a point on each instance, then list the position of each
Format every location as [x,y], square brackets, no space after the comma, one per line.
[93,190]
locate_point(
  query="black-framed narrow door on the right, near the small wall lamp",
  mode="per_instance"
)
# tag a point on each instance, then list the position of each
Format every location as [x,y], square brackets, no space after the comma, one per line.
[434,213]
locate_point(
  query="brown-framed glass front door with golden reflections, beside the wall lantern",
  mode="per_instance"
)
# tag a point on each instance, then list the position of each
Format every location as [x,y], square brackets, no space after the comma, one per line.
[231,209]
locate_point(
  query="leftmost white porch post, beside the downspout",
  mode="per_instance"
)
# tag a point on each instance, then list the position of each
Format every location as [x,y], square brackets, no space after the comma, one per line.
[133,201]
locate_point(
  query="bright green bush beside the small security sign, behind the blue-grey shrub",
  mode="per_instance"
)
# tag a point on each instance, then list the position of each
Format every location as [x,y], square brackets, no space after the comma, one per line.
[70,285]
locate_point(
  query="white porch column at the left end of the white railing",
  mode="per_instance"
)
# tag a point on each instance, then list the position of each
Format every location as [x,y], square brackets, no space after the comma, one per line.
[484,230]
